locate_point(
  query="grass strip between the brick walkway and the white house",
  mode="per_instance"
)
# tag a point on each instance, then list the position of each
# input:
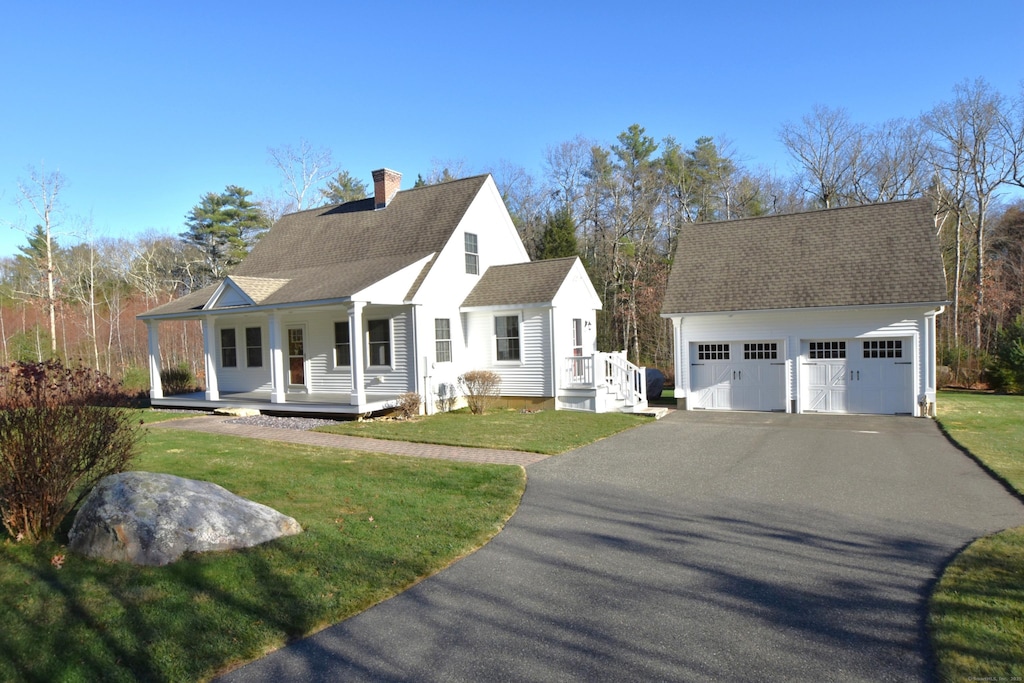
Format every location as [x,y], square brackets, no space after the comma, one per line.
[545,432]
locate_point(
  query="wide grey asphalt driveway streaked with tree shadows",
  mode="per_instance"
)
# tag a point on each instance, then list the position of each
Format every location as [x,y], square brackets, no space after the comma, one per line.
[722,547]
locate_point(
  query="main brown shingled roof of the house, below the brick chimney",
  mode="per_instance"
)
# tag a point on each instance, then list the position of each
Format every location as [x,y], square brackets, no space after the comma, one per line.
[334,252]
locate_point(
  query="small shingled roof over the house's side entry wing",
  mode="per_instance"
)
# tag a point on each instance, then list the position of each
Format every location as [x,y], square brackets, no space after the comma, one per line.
[521,284]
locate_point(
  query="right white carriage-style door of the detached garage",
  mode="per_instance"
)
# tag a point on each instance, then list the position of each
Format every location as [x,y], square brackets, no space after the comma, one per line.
[858,376]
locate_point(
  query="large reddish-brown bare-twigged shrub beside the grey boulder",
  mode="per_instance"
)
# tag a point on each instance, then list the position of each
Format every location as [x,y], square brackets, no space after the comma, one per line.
[62,431]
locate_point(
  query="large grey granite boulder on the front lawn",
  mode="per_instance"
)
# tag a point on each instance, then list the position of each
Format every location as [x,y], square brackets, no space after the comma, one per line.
[153,520]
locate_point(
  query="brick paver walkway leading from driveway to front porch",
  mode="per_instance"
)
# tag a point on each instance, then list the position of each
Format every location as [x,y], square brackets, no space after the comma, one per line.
[222,425]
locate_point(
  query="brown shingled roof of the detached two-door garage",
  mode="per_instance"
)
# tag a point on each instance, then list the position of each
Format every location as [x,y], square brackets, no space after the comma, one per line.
[875,254]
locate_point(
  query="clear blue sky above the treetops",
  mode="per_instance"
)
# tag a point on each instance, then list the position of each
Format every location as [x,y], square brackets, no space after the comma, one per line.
[146,107]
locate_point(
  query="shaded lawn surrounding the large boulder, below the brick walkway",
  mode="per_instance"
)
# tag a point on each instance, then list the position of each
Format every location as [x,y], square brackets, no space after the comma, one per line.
[374,526]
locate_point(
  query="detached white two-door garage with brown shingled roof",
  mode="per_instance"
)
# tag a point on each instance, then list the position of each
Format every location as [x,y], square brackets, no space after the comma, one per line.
[825,312]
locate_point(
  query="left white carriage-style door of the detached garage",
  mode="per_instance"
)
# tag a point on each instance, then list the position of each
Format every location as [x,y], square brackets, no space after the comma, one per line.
[738,376]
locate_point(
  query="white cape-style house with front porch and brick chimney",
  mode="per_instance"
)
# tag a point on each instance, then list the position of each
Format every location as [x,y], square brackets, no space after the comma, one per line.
[342,310]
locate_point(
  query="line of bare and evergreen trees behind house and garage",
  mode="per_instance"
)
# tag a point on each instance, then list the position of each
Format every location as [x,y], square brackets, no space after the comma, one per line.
[621,207]
